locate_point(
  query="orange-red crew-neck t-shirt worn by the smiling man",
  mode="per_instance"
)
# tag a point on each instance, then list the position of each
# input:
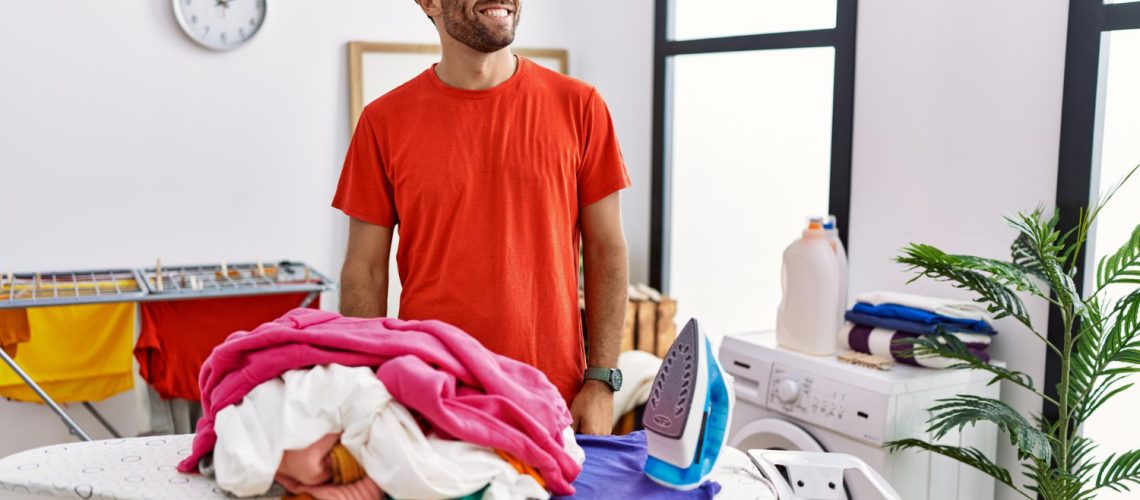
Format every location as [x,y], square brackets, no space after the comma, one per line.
[486,188]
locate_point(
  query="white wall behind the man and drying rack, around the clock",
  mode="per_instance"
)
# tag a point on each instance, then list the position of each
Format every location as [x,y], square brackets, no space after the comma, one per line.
[123,142]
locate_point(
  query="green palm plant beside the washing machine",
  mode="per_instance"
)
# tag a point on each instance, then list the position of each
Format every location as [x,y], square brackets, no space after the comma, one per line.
[1101,349]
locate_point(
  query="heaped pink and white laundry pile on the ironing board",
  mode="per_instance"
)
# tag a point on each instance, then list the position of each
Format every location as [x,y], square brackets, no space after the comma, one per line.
[412,409]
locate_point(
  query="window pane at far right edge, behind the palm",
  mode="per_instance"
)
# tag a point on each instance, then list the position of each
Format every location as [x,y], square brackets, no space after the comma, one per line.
[1114,424]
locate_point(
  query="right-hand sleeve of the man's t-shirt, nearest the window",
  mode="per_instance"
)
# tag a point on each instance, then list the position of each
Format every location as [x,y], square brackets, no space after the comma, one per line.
[602,171]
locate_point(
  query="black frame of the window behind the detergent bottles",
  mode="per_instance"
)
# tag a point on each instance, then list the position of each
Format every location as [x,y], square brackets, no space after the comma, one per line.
[842,38]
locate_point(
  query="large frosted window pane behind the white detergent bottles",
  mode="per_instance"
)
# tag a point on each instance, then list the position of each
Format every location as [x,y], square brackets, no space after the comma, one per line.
[752,149]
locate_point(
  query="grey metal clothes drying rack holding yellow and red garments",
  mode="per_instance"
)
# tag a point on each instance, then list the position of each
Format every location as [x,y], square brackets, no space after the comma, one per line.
[60,289]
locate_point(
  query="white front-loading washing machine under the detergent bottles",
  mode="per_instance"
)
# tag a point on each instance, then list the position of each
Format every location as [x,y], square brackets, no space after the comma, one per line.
[799,403]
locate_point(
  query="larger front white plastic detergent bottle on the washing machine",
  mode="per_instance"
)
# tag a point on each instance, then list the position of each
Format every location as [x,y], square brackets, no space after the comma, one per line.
[807,321]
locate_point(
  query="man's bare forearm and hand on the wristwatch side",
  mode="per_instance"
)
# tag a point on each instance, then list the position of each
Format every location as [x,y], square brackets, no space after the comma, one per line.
[607,269]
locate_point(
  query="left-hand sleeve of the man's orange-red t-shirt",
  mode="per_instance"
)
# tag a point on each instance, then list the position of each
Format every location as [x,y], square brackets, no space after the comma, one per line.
[365,192]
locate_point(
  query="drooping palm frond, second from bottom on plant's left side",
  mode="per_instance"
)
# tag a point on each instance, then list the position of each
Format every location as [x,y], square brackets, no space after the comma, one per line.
[954,414]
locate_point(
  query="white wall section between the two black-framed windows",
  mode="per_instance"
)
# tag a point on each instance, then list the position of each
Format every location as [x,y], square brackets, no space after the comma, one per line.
[957,124]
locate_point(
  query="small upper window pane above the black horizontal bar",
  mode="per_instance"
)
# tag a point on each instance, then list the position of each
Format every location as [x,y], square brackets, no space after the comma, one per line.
[711,19]
